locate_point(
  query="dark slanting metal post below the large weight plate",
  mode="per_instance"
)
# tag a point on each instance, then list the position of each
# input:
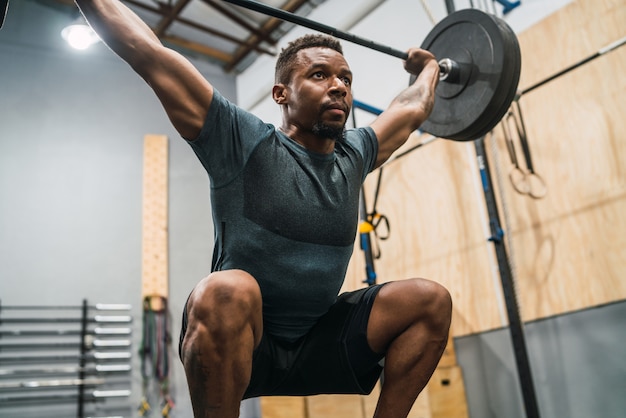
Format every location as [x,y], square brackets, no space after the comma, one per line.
[510,298]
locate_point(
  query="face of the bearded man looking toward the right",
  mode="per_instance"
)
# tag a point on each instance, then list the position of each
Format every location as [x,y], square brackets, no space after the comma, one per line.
[319,94]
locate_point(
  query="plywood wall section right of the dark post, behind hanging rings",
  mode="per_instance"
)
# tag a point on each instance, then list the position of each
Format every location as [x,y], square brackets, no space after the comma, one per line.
[569,247]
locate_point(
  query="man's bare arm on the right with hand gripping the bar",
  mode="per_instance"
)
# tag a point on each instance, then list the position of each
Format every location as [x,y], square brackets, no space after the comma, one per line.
[410,108]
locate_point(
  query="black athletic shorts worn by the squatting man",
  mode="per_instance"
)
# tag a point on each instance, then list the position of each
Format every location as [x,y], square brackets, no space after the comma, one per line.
[332,358]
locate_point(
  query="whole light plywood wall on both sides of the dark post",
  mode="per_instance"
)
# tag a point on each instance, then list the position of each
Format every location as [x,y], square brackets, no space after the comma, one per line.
[568,250]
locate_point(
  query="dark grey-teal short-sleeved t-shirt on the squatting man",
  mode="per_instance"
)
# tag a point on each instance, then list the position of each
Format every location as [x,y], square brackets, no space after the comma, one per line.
[284,214]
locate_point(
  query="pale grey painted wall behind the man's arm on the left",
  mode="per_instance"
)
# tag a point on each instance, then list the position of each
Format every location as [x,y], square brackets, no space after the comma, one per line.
[71,150]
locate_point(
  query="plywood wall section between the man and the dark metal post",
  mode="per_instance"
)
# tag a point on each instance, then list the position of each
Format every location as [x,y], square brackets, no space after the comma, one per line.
[434,201]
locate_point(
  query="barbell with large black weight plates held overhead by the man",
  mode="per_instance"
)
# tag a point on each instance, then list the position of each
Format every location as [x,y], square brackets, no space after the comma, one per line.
[479,68]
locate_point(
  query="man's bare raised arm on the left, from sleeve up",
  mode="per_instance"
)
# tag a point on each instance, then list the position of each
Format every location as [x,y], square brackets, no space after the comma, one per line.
[184,93]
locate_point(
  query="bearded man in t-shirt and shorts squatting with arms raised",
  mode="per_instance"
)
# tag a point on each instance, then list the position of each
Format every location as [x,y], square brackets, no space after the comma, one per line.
[267,320]
